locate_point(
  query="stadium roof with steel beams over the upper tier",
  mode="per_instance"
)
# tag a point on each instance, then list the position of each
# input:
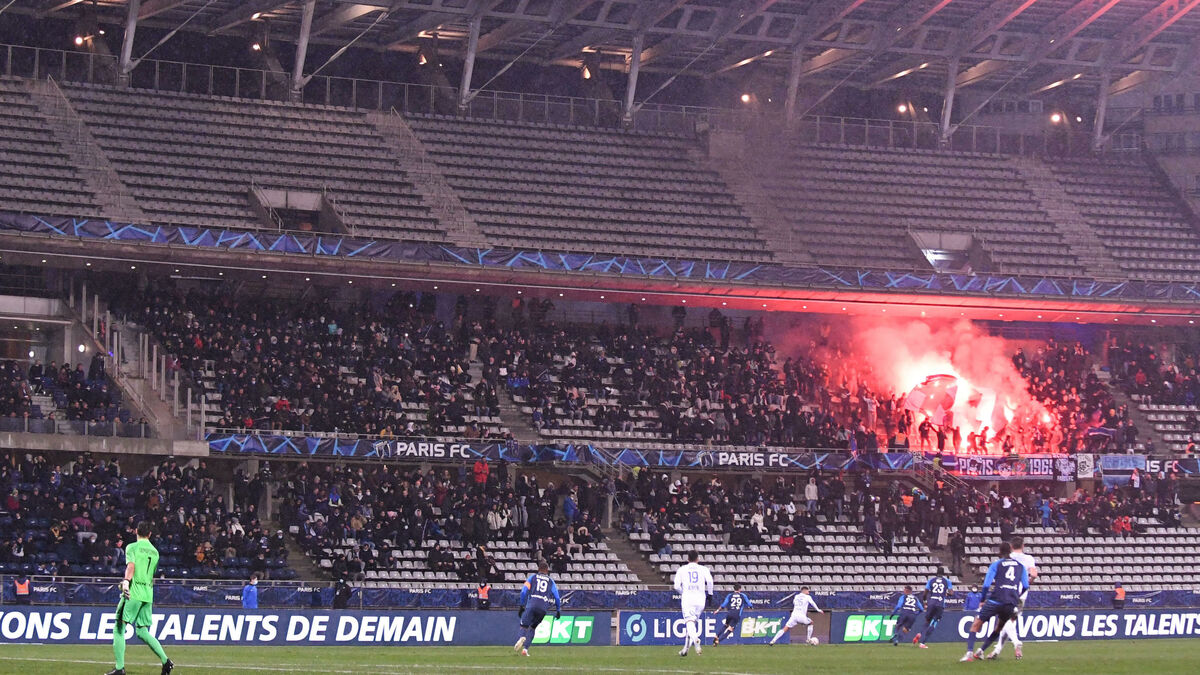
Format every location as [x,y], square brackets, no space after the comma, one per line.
[1030,45]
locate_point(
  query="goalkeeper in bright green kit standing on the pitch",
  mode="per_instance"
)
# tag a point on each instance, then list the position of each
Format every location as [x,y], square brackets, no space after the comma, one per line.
[137,600]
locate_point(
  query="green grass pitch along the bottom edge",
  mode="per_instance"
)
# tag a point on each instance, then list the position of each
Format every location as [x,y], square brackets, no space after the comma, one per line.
[1143,658]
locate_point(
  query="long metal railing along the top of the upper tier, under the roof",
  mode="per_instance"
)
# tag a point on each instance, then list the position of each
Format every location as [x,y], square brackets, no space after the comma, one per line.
[541,109]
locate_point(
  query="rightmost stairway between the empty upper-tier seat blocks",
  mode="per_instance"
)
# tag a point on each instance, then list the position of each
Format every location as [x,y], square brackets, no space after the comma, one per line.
[1081,238]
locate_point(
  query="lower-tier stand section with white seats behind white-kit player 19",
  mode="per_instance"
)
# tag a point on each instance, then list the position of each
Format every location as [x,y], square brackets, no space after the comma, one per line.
[767,537]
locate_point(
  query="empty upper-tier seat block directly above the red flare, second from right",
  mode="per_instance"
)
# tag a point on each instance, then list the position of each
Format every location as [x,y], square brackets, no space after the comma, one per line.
[856,206]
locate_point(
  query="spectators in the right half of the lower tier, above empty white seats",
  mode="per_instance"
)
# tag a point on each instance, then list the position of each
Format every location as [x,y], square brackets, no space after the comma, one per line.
[783,511]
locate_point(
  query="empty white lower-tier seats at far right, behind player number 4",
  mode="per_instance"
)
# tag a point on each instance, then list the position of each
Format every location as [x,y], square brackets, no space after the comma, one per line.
[1161,559]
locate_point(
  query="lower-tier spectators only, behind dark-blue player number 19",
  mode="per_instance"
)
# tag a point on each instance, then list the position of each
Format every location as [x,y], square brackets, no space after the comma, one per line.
[367,512]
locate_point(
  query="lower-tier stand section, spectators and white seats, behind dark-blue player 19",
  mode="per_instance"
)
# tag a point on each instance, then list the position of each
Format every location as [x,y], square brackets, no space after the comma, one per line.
[395,527]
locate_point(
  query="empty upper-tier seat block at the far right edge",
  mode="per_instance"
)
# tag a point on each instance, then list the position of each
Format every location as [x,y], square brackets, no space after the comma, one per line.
[1137,217]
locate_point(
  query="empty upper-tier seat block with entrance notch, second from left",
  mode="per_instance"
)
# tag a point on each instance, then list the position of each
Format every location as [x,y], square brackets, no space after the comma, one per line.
[191,160]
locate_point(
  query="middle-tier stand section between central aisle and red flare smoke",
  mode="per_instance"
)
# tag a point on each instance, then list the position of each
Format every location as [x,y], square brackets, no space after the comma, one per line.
[628,384]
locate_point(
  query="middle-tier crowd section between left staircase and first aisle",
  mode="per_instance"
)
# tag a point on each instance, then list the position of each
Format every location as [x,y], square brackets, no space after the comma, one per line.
[320,366]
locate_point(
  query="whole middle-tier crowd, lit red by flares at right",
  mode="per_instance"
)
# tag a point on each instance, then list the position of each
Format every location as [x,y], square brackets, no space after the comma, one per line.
[393,369]
